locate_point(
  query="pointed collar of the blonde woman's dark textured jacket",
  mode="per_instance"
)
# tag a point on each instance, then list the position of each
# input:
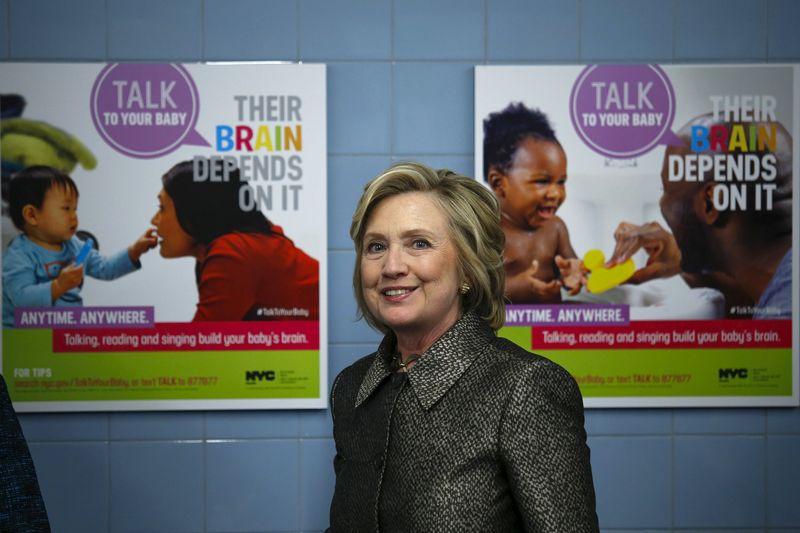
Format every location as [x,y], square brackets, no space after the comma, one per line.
[439,367]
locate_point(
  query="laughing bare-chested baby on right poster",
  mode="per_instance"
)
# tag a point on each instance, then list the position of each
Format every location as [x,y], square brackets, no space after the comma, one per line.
[526,167]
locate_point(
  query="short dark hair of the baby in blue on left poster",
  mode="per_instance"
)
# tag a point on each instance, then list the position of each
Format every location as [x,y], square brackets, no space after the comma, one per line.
[29,186]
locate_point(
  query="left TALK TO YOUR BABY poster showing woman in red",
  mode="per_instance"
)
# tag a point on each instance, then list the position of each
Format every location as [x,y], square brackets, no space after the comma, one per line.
[164,236]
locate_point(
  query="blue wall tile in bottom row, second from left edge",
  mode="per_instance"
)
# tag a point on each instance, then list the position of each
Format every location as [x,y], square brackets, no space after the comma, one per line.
[156,486]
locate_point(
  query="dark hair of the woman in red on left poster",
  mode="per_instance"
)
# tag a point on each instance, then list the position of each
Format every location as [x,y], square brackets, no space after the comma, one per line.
[207,209]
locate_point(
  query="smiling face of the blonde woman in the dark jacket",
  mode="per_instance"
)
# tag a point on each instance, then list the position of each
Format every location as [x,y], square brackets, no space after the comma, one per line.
[409,266]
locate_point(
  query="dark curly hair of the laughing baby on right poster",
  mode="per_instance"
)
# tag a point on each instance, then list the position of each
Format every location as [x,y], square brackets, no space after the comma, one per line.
[504,130]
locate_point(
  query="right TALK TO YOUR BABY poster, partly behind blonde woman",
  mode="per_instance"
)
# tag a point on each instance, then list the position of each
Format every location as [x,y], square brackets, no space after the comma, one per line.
[651,226]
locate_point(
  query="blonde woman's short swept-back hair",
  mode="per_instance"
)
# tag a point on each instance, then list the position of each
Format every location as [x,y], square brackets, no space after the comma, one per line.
[474,219]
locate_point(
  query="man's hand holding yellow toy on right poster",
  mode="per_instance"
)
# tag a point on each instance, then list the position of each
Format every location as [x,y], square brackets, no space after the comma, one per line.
[663,254]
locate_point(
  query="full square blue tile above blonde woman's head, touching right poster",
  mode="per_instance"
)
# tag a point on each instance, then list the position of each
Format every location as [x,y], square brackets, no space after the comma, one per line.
[433,108]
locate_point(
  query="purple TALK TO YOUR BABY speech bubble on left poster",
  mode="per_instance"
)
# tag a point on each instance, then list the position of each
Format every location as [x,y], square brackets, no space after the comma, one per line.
[145,110]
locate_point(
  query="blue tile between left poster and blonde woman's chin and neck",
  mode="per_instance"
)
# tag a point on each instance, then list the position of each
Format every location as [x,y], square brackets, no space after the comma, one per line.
[343,322]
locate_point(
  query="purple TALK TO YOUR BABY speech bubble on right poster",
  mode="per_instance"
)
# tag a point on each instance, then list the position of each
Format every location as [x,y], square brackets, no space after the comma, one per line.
[622,111]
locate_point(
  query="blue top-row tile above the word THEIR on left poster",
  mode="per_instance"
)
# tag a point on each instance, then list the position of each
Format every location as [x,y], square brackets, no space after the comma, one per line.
[250,30]
